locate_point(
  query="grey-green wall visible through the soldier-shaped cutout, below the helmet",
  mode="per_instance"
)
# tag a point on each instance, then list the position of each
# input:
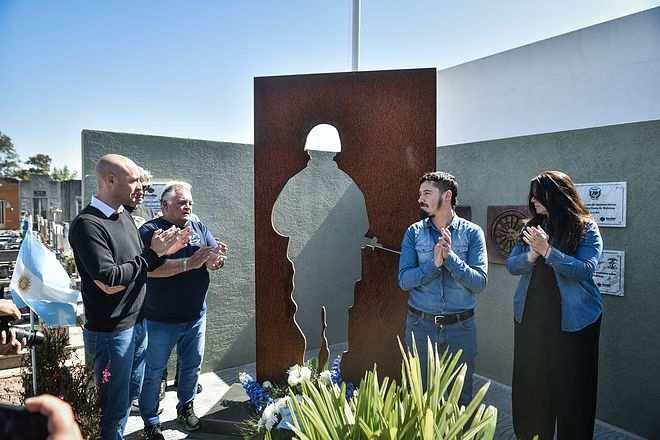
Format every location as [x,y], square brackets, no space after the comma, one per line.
[324,214]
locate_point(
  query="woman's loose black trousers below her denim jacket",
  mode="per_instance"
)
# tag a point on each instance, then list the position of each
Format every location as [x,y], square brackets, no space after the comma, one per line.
[555,378]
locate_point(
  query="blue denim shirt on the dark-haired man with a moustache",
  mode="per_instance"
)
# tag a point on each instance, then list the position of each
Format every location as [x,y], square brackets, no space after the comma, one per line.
[452,287]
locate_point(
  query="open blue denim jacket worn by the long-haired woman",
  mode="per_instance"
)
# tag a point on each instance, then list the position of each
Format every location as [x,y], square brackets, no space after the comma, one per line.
[581,301]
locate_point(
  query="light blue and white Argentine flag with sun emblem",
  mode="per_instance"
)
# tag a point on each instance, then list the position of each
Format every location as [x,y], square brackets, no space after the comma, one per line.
[40,282]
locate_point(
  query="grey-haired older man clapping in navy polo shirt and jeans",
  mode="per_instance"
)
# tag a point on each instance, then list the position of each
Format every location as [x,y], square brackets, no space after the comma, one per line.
[175,308]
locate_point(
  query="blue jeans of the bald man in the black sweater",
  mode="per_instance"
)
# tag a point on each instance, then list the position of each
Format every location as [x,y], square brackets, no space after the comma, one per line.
[122,353]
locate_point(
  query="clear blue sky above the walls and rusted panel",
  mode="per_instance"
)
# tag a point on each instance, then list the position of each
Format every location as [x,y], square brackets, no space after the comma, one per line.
[186,69]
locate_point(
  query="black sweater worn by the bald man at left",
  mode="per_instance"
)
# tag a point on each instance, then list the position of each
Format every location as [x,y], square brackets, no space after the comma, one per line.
[110,250]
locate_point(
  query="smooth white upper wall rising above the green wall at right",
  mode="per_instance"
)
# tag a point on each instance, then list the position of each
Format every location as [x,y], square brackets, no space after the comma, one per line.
[601,75]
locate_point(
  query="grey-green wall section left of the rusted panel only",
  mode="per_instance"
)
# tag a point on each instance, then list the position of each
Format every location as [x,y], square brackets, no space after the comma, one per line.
[221,176]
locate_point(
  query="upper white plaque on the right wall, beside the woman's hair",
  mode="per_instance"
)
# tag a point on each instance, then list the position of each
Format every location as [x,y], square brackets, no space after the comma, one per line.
[606,202]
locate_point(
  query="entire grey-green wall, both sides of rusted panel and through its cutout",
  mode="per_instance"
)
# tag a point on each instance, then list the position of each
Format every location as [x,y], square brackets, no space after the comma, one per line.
[324,211]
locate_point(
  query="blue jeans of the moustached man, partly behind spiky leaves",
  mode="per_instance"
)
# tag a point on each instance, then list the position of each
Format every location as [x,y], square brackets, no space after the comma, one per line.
[459,336]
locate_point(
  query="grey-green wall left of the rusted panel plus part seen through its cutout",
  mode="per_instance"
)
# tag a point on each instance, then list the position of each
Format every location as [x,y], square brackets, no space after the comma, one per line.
[320,208]
